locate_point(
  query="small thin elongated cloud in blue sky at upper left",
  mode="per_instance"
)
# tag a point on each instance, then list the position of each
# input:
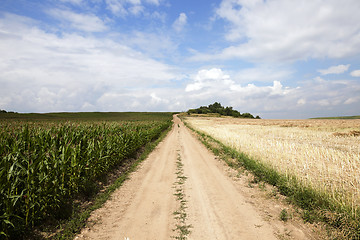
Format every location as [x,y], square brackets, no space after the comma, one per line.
[83,22]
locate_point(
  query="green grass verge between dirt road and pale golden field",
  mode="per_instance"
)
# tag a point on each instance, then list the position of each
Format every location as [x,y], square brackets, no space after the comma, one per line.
[316,206]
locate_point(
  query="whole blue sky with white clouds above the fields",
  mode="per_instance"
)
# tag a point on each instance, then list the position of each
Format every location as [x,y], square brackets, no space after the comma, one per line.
[272,58]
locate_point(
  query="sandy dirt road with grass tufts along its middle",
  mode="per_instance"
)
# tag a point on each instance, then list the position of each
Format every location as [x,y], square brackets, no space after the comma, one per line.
[180,191]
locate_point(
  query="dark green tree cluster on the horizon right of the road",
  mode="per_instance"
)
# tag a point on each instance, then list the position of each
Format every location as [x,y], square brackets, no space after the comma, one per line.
[224,111]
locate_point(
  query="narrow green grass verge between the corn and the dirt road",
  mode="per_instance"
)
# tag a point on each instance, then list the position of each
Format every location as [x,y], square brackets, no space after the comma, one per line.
[69,229]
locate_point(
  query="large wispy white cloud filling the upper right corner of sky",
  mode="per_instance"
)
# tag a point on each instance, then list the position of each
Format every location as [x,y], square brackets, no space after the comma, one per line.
[282,30]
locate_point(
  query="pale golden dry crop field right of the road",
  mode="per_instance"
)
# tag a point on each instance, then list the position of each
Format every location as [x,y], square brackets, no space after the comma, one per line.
[322,154]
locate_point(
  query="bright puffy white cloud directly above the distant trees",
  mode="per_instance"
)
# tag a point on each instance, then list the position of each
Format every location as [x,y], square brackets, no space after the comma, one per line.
[210,85]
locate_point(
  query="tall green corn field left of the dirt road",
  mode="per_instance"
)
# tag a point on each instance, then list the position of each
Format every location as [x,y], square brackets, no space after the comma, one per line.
[46,159]
